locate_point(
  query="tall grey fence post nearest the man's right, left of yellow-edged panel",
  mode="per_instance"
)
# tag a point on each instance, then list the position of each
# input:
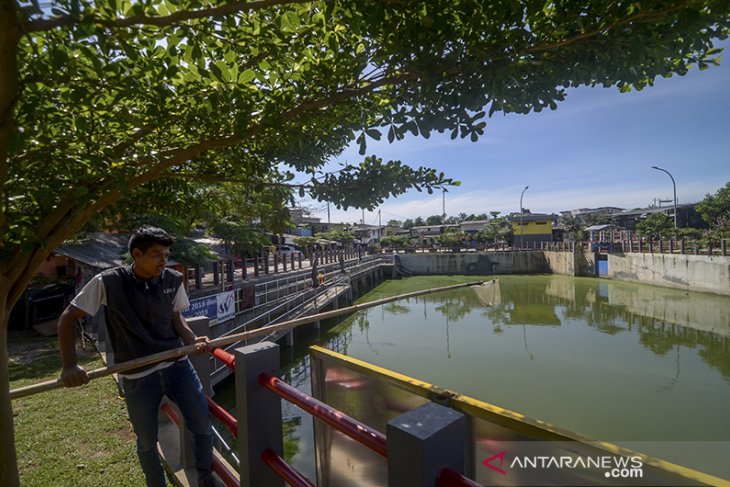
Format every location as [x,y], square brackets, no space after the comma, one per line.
[259,413]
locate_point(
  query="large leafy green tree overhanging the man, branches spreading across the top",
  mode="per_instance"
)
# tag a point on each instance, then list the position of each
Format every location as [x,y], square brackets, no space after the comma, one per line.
[103,101]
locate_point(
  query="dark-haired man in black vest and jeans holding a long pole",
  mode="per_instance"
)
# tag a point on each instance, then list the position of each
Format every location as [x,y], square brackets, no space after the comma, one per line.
[143,304]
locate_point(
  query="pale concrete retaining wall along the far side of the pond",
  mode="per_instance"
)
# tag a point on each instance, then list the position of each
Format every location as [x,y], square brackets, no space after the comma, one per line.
[698,273]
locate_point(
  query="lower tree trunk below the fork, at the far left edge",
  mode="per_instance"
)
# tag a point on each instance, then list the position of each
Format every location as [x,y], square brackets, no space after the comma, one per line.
[8,460]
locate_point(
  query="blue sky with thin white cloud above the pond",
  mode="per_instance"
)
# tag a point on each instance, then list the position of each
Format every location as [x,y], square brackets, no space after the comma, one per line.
[595,150]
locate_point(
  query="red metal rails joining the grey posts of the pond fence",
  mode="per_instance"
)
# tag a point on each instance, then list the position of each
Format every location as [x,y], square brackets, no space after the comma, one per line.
[353,428]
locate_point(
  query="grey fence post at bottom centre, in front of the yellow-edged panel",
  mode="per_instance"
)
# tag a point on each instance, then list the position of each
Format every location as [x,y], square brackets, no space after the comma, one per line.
[423,441]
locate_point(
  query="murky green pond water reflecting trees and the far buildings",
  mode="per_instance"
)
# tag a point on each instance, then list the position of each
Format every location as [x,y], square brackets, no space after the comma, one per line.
[636,365]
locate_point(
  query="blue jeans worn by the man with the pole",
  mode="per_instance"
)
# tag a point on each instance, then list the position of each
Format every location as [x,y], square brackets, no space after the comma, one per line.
[143,396]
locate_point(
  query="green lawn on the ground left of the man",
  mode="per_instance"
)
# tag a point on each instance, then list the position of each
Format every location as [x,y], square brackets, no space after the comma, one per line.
[69,437]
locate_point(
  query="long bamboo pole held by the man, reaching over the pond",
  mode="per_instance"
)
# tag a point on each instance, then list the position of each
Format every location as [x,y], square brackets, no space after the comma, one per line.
[227,340]
